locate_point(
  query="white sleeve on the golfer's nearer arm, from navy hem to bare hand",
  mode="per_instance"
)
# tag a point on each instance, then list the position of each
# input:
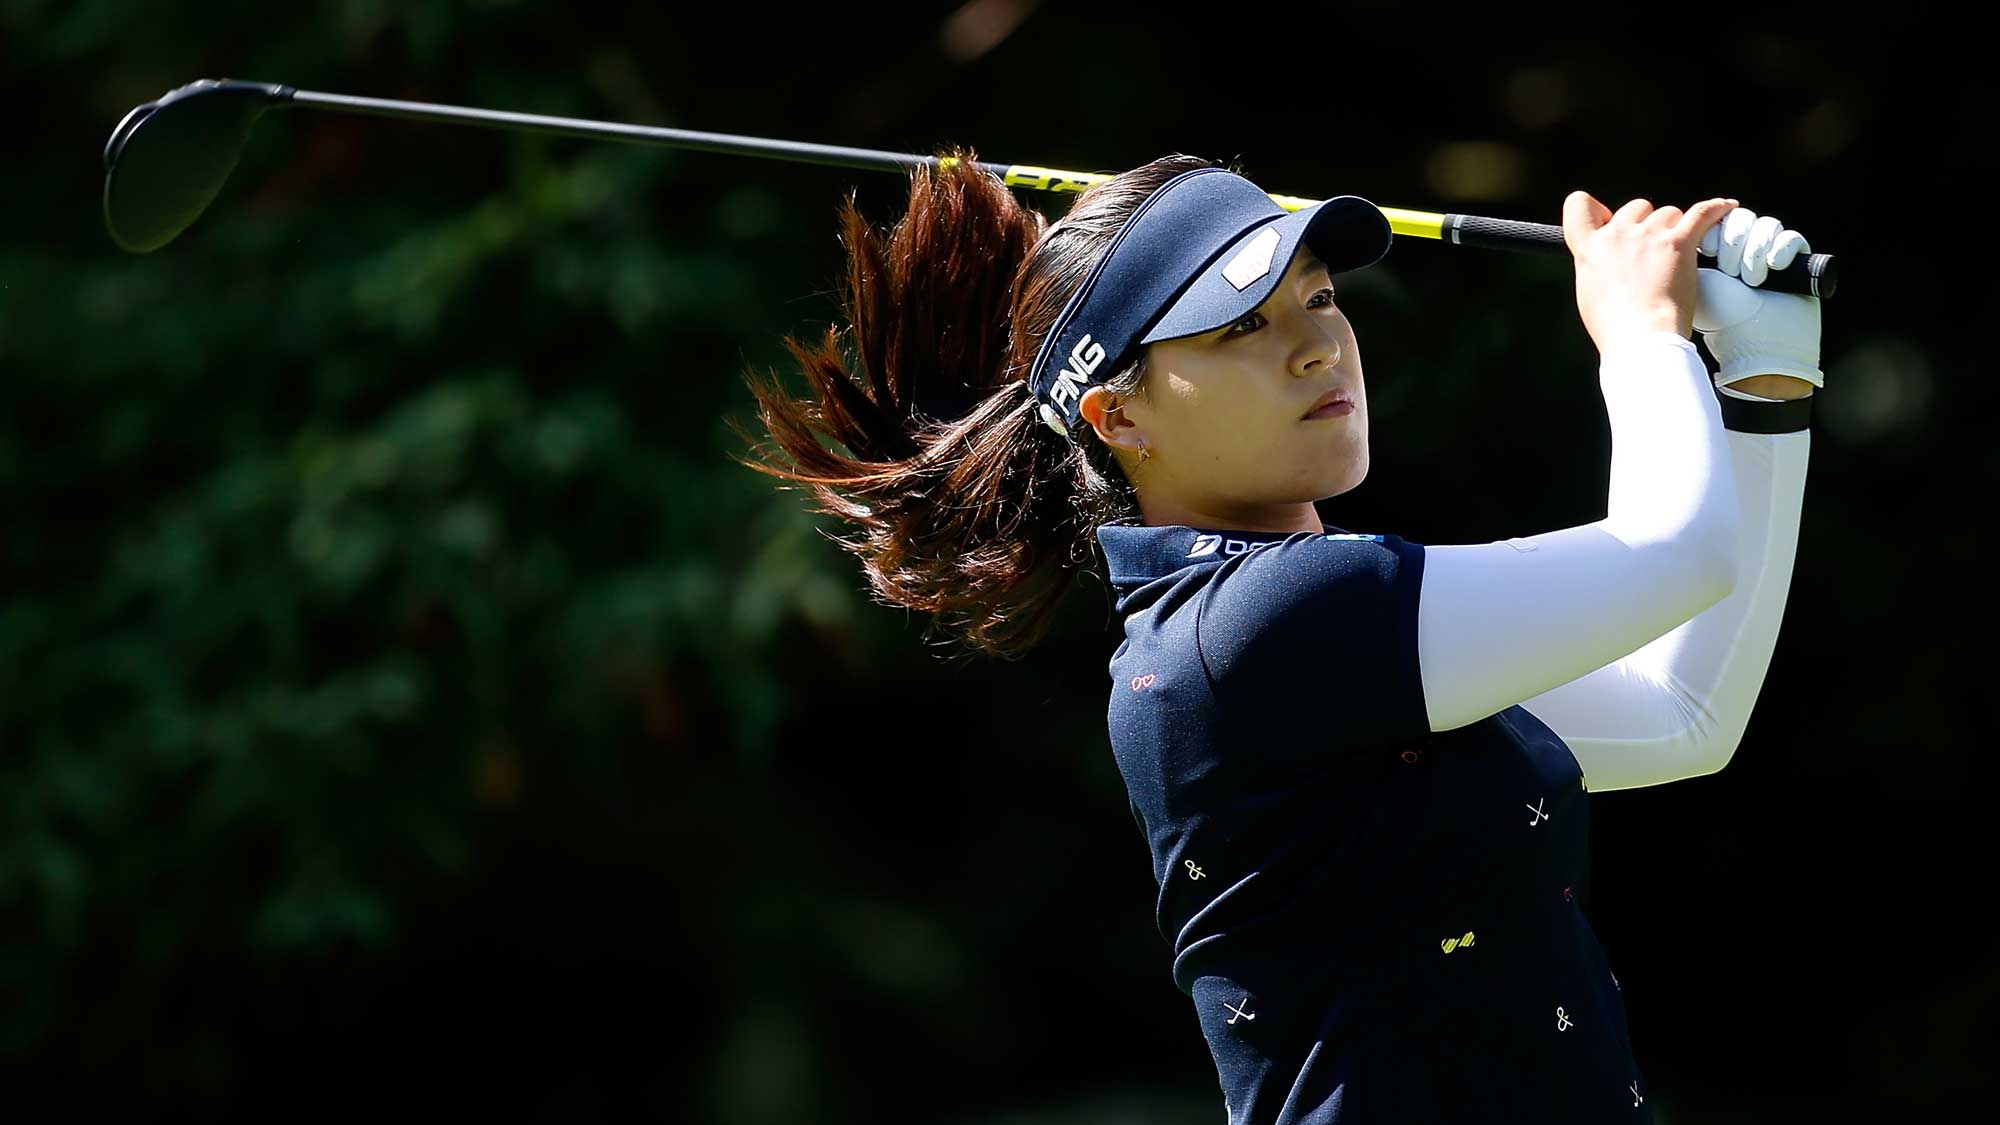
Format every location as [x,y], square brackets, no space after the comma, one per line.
[1505,622]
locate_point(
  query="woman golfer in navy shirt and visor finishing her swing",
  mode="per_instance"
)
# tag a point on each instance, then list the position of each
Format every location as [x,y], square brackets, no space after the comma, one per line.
[1361,764]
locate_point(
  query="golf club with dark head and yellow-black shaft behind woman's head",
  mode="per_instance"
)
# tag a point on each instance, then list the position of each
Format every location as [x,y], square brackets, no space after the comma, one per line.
[169,159]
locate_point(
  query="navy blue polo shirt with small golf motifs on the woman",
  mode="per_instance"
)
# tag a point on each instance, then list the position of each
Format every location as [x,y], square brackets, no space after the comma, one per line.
[1375,922]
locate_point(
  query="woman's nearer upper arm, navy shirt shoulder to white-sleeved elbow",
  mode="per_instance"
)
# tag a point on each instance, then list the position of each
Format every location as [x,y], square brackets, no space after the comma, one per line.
[1391,640]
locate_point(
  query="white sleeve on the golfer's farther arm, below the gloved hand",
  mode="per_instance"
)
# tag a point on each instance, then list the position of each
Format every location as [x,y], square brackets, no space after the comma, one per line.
[1679,706]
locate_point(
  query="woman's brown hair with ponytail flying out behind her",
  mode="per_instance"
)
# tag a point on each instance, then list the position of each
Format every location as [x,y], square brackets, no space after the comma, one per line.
[965,503]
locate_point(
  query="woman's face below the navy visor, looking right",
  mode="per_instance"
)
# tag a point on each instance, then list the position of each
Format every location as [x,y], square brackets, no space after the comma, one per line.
[1225,413]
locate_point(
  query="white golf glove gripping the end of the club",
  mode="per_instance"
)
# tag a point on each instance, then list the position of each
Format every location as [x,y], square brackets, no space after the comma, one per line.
[1747,329]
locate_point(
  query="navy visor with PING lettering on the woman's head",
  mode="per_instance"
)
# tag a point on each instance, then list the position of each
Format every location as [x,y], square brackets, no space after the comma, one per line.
[1197,255]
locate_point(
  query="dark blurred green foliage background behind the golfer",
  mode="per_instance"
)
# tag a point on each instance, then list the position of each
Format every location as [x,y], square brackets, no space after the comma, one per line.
[407,704]
